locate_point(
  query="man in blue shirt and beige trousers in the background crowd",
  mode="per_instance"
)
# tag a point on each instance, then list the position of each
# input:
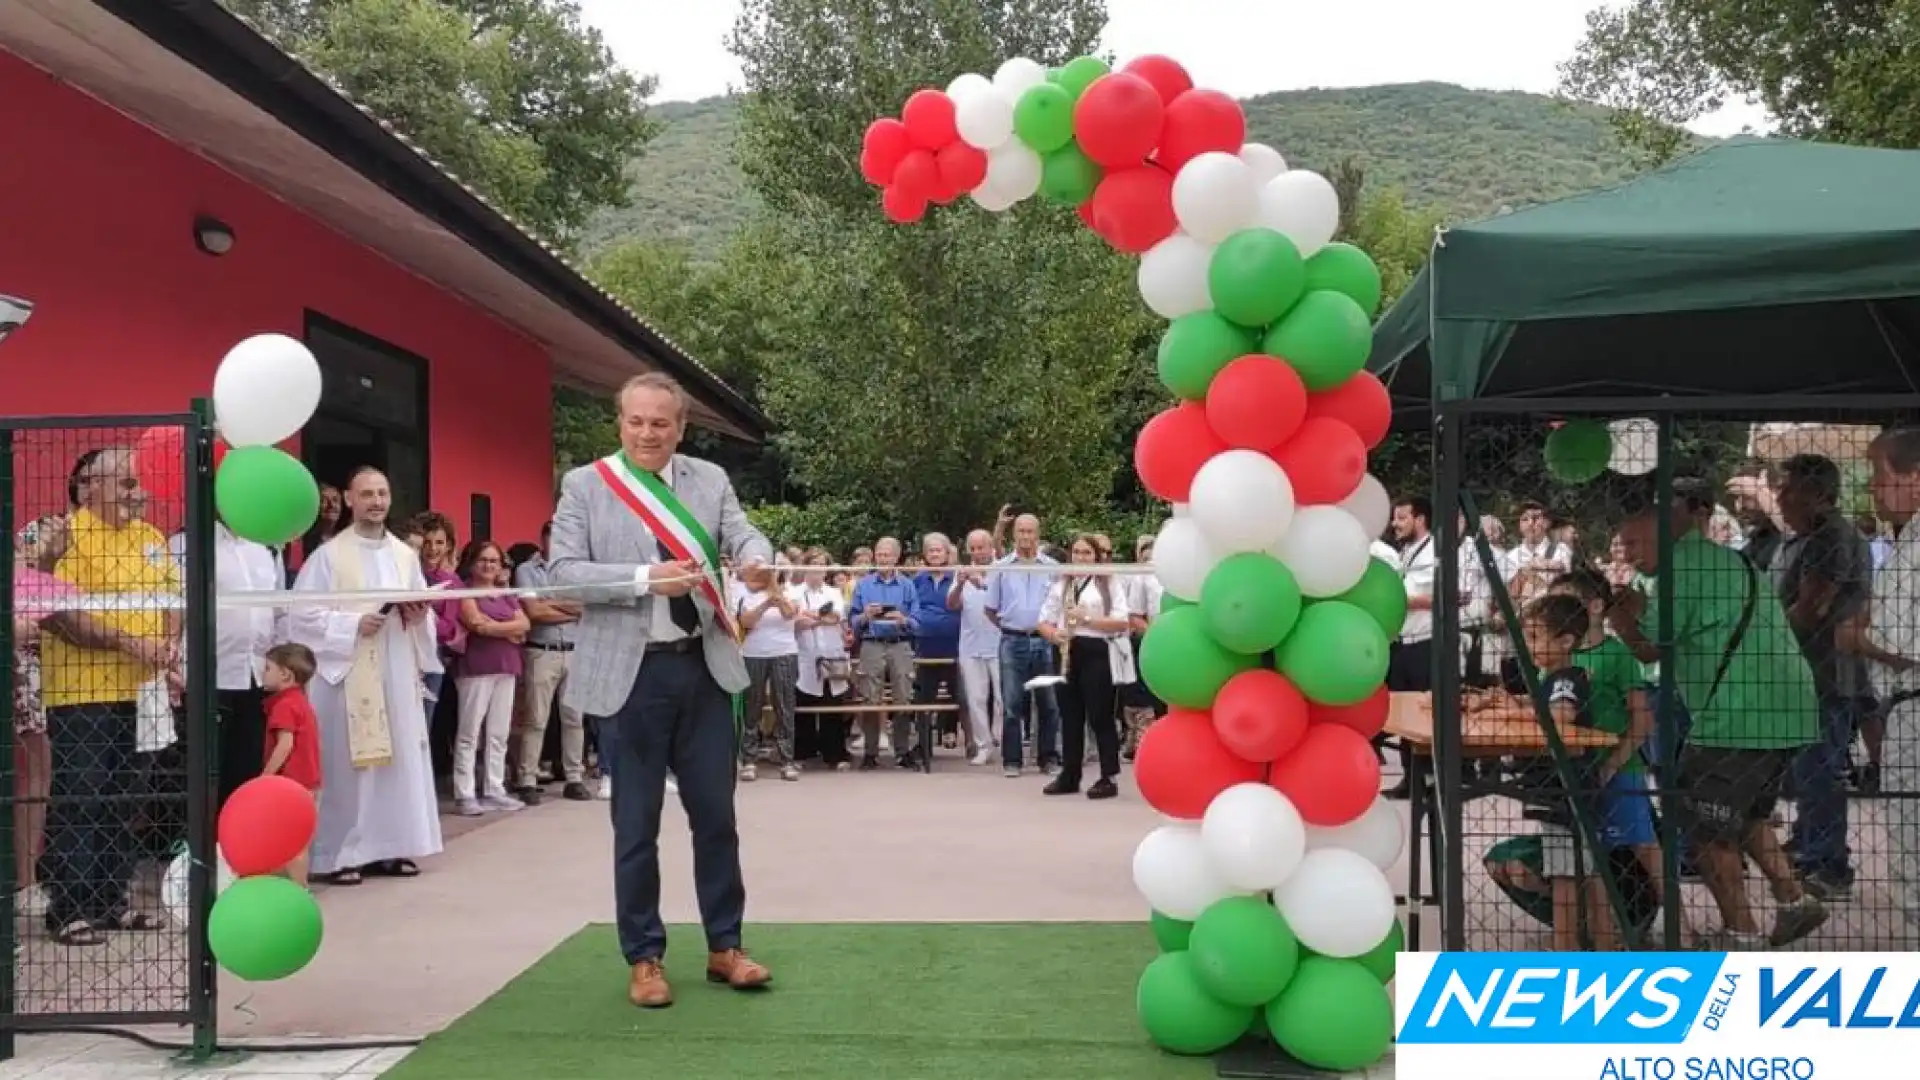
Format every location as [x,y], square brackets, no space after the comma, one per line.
[884,627]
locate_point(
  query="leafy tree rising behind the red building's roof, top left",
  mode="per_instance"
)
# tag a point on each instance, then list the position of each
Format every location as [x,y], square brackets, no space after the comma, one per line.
[517,97]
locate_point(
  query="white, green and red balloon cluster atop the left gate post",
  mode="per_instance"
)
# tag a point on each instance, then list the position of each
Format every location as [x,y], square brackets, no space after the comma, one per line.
[264,393]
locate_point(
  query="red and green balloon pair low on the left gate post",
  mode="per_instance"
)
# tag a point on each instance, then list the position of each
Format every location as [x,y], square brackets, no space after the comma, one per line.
[264,925]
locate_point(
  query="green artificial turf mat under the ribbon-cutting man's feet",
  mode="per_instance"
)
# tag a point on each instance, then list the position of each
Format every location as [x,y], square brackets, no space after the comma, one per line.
[850,1002]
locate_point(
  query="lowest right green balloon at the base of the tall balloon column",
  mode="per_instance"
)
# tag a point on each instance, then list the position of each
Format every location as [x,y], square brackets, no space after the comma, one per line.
[1333,1016]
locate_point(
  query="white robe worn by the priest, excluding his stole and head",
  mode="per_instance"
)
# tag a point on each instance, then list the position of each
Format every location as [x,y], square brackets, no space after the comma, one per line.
[381,812]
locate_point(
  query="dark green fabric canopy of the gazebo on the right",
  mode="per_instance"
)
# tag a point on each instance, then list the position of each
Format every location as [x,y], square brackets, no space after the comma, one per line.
[1752,268]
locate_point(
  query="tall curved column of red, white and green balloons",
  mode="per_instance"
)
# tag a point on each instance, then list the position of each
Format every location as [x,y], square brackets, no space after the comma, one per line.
[1270,883]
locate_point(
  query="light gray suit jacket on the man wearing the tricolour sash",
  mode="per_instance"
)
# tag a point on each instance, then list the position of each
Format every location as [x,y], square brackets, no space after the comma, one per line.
[602,541]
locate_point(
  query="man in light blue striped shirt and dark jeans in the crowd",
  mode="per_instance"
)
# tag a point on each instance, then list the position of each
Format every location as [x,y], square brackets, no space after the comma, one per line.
[1015,606]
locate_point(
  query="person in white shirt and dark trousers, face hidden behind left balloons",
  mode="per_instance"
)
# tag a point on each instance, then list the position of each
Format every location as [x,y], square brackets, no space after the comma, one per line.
[243,637]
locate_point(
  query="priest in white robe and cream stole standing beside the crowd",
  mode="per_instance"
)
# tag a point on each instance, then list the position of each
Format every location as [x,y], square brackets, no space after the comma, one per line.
[379,812]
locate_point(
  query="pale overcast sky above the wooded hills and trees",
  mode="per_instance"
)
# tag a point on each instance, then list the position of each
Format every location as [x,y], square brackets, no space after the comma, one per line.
[1241,47]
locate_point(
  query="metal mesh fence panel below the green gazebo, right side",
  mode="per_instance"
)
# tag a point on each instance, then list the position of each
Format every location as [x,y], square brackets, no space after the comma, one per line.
[1725,777]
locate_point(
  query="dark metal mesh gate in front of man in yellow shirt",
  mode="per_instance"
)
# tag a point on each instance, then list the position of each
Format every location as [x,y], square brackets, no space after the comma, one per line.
[108,768]
